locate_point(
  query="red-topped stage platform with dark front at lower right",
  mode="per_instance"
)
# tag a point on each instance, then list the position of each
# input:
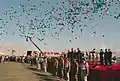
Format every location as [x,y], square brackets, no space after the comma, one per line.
[103,73]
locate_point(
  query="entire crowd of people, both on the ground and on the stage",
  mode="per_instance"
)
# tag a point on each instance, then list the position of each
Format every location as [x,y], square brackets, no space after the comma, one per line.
[70,66]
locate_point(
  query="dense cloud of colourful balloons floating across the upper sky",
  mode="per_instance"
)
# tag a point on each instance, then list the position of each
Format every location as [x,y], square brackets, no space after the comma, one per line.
[35,21]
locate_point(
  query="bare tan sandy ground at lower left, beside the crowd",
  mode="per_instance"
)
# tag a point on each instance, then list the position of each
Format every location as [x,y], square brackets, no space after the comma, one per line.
[10,71]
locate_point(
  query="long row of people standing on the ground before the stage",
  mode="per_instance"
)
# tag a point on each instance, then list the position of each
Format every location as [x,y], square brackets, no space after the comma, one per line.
[62,66]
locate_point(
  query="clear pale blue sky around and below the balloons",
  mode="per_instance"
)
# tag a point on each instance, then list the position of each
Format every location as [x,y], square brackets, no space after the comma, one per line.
[108,26]
